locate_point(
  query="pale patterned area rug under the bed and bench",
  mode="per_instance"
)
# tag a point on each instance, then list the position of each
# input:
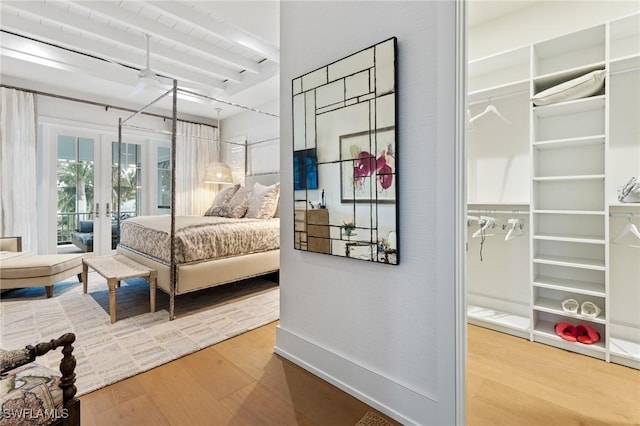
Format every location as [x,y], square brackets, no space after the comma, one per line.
[139,340]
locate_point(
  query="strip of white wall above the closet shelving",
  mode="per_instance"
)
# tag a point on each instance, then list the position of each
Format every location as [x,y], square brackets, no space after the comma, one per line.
[541,21]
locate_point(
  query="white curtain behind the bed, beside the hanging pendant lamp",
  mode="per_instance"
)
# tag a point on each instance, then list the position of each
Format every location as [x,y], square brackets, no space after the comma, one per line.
[196,147]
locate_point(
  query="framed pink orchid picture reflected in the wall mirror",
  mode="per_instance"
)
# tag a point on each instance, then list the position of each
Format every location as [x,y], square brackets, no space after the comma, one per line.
[368,166]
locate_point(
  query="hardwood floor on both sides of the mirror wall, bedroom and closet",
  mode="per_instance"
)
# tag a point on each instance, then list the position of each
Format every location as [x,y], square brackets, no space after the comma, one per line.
[510,381]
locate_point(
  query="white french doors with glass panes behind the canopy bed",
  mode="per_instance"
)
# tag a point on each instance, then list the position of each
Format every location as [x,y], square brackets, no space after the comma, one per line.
[78,188]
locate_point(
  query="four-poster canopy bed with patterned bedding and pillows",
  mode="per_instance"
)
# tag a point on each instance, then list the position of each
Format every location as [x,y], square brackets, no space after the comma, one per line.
[191,253]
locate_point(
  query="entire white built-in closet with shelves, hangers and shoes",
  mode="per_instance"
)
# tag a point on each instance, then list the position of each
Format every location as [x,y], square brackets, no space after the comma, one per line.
[553,136]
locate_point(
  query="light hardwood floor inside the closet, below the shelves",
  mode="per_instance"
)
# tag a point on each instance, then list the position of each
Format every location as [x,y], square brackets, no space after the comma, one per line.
[512,381]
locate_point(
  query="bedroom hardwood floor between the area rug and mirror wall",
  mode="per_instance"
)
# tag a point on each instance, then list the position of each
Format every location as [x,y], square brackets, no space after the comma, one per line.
[237,382]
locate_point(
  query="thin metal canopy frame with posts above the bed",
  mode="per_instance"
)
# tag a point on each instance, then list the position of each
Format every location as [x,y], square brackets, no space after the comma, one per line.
[123,123]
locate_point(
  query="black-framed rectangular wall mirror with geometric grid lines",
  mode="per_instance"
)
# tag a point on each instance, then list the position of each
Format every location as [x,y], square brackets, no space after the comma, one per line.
[344,157]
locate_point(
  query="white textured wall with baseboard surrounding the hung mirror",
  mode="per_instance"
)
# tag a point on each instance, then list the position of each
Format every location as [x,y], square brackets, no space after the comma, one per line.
[385,334]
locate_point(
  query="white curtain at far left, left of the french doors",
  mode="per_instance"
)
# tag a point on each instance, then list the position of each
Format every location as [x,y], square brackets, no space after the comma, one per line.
[18,161]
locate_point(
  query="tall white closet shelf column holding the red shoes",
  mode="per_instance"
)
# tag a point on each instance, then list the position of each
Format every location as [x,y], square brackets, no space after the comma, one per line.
[569,147]
